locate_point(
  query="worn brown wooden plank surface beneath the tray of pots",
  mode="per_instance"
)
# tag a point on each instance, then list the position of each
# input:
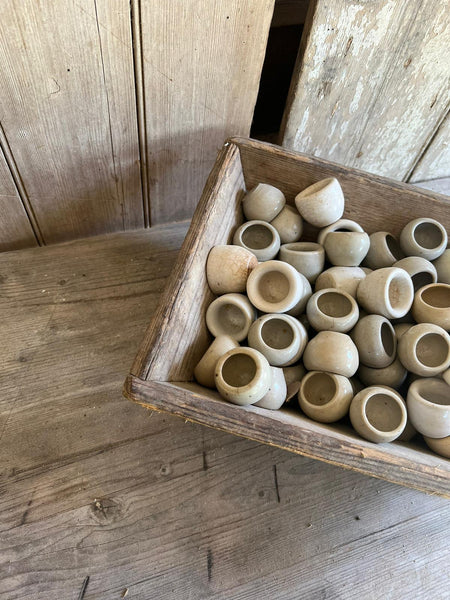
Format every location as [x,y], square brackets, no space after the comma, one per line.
[150,507]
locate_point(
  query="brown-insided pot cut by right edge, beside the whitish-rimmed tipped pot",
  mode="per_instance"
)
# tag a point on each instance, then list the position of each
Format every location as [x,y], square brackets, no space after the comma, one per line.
[432,305]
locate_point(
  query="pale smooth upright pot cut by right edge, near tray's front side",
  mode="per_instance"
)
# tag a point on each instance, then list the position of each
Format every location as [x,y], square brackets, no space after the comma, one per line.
[428,403]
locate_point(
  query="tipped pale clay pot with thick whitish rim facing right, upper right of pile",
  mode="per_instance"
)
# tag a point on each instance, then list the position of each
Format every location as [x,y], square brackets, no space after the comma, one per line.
[388,291]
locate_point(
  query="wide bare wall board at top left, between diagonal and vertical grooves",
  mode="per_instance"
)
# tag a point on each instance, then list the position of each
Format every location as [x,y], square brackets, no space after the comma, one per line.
[68,112]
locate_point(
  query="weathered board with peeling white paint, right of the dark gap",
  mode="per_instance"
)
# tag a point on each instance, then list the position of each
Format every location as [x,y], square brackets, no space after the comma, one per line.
[371,74]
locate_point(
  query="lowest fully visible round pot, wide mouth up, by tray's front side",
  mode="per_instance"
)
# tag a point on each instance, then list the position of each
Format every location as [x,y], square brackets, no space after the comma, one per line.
[378,414]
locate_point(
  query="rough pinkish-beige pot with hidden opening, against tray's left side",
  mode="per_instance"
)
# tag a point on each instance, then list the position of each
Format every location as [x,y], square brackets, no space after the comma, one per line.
[227,269]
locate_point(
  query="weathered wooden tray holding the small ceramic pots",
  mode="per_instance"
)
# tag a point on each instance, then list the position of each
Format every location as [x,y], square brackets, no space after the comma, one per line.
[162,375]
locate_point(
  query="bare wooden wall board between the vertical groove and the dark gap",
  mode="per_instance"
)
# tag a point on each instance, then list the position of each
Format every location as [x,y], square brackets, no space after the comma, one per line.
[202,62]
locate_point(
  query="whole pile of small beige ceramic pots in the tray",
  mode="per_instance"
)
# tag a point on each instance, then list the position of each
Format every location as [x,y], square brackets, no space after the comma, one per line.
[373,333]
